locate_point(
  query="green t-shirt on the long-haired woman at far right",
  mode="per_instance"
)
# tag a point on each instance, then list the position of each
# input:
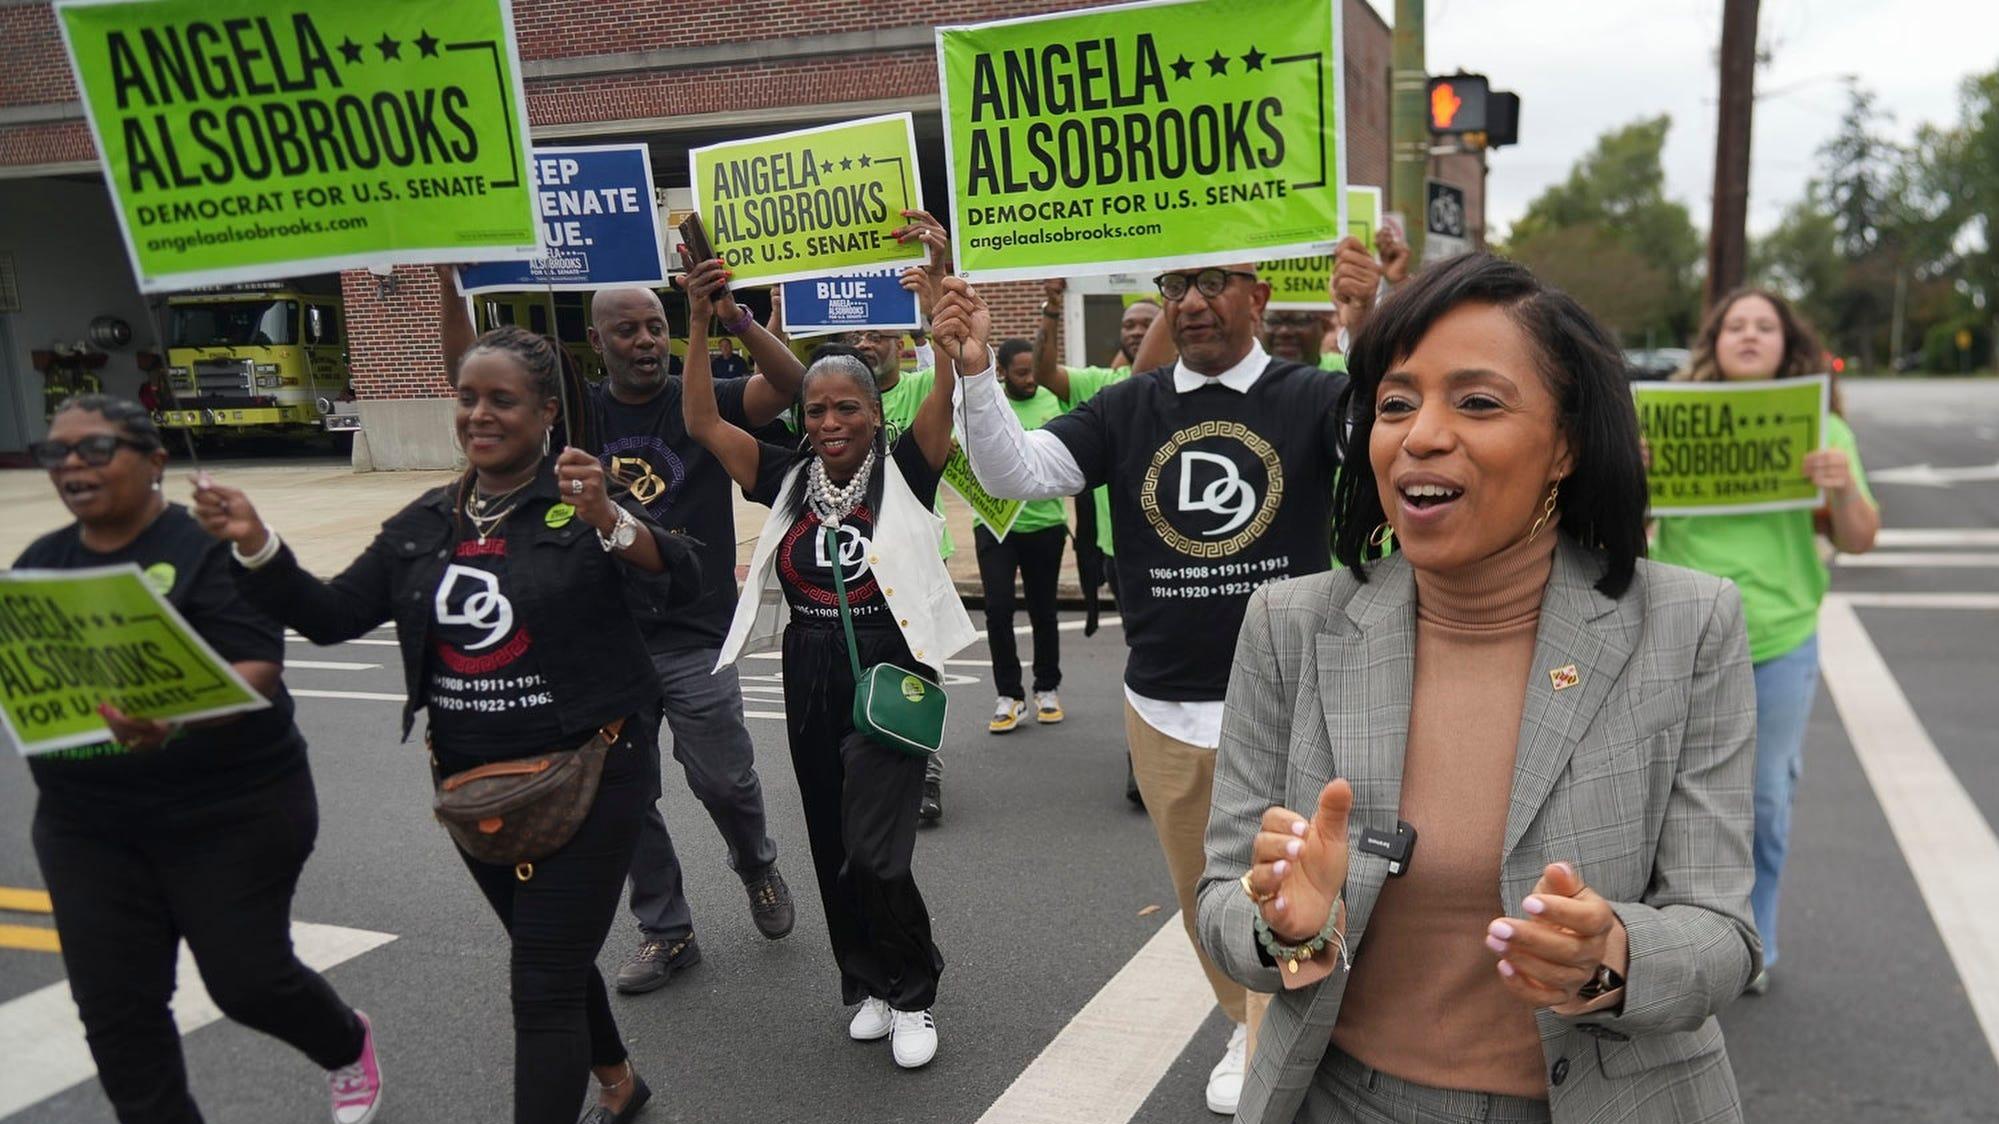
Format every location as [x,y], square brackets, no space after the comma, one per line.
[1772,557]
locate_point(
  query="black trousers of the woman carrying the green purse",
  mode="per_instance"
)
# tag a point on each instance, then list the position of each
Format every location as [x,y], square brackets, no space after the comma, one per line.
[861,819]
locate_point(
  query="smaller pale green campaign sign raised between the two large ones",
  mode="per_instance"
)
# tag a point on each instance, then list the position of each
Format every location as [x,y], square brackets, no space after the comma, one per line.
[811,203]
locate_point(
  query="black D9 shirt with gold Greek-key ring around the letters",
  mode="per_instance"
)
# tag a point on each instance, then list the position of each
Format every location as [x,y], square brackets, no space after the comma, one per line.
[1214,493]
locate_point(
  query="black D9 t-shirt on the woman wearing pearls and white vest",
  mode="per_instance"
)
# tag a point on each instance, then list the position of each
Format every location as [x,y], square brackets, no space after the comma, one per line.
[805,563]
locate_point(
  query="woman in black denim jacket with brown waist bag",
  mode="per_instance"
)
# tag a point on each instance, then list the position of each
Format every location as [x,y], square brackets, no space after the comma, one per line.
[513,597]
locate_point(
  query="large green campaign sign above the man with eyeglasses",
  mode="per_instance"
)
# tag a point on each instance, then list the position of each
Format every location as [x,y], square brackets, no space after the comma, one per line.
[1138,137]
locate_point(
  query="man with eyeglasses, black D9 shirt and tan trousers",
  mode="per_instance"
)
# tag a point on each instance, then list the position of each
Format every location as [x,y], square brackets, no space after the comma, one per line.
[1220,477]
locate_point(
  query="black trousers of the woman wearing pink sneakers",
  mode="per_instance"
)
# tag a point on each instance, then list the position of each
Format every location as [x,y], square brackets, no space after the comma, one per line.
[127,887]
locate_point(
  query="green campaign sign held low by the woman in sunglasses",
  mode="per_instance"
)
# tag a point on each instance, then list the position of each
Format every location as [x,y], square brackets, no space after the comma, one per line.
[77,639]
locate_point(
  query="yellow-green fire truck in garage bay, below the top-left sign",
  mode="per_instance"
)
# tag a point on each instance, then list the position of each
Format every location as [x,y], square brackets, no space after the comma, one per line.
[253,361]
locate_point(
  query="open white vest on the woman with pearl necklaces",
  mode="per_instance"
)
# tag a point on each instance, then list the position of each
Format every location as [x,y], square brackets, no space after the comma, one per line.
[905,559]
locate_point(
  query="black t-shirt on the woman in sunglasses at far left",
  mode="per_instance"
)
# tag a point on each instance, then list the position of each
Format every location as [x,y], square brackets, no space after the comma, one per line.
[207,763]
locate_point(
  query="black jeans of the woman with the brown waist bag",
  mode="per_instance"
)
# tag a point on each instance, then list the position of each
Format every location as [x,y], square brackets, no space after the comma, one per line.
[559,921]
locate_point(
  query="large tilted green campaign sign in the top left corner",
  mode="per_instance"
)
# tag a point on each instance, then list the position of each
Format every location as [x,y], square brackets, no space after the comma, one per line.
[249,139]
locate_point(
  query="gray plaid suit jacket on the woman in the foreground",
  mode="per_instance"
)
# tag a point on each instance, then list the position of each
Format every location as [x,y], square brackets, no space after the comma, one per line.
[1640,775]
